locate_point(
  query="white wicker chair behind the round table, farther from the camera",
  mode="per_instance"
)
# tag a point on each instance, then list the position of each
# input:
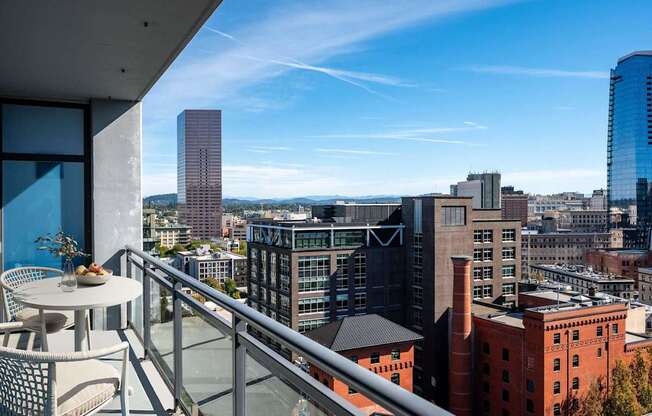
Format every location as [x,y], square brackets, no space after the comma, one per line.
[33,320]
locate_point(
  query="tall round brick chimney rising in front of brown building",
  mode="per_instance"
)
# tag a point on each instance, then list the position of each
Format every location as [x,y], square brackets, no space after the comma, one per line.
[460,377]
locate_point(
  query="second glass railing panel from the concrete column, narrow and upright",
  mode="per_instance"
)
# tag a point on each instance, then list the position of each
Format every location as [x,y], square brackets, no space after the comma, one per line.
[161,328]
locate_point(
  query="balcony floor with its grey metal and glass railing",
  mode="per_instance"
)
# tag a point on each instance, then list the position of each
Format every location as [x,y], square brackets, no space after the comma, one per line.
[186,357]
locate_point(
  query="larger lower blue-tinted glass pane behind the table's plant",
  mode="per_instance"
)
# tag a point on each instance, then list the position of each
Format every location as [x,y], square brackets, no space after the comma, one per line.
[40,198]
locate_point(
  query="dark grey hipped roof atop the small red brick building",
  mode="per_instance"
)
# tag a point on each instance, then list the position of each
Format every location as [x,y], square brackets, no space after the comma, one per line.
[361,331]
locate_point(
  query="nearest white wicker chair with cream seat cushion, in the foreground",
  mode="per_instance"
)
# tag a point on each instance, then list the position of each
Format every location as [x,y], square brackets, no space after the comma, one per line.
[60,384]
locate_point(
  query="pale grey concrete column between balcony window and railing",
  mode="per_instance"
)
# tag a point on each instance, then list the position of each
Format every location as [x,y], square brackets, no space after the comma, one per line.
[117,198]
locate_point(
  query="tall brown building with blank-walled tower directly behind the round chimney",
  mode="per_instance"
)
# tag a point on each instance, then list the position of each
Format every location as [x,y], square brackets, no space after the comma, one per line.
[437,228]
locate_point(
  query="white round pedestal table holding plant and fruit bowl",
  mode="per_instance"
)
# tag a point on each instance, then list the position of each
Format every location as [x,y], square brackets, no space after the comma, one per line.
[46,294]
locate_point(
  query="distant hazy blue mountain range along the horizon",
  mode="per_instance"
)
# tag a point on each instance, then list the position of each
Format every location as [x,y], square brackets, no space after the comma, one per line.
[170,200]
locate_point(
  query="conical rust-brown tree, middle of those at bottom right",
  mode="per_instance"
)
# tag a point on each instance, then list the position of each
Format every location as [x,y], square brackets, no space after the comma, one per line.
[621,397]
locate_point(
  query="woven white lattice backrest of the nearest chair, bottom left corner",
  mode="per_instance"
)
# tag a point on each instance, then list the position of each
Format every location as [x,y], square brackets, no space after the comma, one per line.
[26,384]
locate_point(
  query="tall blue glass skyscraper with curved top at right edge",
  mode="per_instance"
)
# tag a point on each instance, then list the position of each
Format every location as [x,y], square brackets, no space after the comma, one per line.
[629,143]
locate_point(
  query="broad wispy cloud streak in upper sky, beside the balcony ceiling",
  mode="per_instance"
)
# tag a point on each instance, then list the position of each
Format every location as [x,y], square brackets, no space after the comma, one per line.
[310,33]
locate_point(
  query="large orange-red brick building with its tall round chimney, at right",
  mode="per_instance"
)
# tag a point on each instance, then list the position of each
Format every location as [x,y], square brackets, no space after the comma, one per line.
[541,360]
